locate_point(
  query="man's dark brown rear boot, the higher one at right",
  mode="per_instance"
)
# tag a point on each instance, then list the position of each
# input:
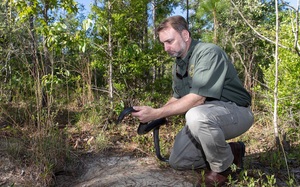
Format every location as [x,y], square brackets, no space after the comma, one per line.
[238,151]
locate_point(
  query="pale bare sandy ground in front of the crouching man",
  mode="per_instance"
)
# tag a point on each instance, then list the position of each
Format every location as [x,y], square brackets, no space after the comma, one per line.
[126,171]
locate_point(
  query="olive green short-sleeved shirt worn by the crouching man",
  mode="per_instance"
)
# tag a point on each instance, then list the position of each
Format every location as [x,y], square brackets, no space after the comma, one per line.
[207,71]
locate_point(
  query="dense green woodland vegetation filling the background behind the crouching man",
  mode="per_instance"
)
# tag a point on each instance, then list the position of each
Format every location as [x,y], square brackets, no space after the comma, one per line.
[65,77]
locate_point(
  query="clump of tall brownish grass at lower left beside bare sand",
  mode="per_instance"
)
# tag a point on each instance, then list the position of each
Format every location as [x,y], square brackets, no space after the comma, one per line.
[44,154]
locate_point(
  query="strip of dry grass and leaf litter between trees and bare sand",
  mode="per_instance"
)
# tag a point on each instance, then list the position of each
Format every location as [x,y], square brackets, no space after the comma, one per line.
[86,131]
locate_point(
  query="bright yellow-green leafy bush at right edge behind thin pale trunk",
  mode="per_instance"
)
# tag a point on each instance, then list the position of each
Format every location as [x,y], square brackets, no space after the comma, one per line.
[288,88]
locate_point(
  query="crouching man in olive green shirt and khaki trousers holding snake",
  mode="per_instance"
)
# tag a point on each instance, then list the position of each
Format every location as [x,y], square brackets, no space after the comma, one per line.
[207,90]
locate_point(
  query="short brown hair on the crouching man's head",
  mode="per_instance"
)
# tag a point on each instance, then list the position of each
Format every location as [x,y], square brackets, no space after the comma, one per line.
[178,23]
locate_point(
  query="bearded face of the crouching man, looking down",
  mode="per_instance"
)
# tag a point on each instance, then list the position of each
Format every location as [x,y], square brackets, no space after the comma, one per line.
[174,42]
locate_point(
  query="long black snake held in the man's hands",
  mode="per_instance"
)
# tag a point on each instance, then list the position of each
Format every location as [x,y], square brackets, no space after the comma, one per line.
[144,128]
